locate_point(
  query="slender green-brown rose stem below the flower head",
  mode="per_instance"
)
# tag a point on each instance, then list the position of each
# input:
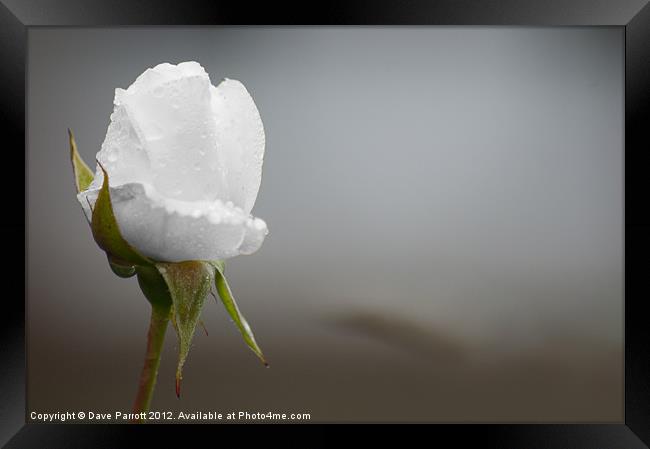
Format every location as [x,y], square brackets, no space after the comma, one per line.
[157,327]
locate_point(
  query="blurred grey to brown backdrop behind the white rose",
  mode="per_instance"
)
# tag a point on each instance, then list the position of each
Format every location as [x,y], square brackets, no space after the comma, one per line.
[445,208]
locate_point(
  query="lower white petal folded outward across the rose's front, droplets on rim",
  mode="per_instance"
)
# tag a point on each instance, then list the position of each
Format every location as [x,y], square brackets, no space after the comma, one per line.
[174,230]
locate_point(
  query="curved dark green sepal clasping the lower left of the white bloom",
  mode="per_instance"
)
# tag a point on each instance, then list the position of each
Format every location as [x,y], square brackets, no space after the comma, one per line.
[107,232]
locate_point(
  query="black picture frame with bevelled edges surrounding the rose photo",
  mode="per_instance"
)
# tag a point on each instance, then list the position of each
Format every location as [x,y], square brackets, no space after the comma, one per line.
[633,15]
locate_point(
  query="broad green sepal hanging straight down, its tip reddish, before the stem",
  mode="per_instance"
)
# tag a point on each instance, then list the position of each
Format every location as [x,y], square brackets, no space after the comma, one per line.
[189,284]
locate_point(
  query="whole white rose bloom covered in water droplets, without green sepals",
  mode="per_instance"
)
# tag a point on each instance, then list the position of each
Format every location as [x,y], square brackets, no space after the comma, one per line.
[185,164]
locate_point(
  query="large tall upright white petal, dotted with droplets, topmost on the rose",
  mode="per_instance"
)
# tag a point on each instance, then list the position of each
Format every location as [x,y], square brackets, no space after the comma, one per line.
[169,110]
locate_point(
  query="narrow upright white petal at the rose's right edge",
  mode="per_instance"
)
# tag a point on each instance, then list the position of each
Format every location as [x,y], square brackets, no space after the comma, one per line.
[240,140]
